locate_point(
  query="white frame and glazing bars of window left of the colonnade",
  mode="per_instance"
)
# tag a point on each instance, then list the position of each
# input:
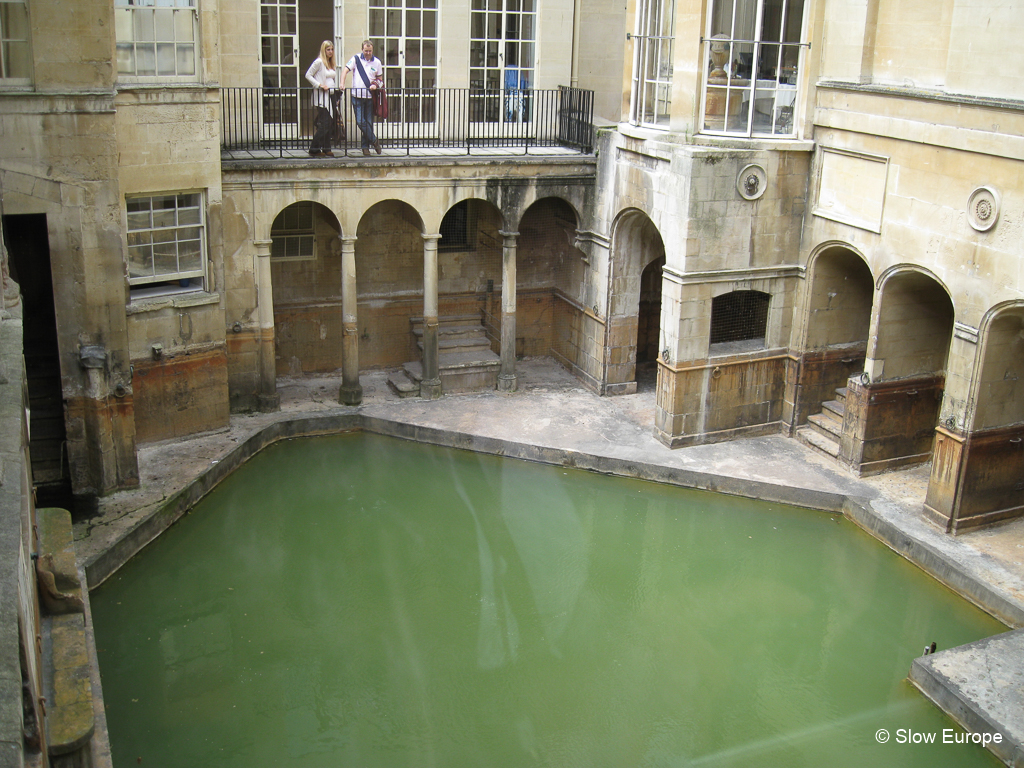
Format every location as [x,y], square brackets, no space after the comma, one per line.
[167,283]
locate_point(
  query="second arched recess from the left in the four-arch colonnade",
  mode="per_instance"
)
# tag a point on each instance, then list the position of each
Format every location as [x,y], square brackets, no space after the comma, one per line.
[389,283]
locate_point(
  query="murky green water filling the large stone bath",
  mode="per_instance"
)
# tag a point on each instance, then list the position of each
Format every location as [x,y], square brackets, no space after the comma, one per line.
[365,602]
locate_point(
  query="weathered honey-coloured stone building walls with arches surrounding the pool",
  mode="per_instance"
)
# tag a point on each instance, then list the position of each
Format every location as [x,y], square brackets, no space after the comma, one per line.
[805,211]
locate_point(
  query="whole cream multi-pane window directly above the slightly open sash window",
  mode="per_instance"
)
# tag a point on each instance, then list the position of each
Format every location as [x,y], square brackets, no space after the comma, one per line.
[156,38]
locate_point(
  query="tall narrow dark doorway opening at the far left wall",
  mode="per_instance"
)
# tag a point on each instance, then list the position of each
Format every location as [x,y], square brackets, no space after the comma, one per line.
[29,253]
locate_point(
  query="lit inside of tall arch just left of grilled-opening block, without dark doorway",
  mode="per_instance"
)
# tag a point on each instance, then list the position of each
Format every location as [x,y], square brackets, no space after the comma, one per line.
[636,243]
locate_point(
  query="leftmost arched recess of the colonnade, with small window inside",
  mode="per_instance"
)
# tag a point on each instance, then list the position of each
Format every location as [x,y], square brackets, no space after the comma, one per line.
[306,271]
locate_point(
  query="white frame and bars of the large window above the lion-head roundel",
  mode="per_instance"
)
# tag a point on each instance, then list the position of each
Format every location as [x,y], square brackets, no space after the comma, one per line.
[729,93]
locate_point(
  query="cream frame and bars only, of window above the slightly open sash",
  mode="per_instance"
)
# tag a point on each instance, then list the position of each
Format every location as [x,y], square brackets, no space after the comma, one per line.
[124,10]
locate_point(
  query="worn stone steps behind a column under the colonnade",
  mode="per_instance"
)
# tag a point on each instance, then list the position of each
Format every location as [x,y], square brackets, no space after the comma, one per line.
[465,361]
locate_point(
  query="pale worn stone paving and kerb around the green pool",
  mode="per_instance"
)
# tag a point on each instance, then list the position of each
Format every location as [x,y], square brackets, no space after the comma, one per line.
[552,417]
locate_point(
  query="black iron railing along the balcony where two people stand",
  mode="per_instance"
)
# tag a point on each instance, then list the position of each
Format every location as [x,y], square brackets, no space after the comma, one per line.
[281,121]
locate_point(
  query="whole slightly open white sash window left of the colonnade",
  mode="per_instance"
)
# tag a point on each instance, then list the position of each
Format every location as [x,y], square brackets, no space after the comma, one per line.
[166,244]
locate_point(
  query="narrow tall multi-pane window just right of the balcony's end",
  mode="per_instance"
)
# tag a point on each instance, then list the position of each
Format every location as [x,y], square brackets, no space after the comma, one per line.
[652,93]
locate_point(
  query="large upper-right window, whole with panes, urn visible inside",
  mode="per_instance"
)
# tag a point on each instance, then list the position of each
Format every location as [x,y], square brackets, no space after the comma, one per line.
[752,57]
